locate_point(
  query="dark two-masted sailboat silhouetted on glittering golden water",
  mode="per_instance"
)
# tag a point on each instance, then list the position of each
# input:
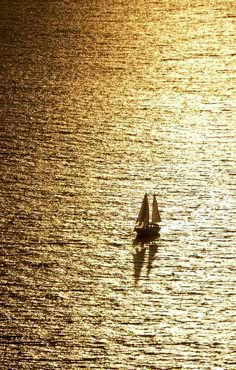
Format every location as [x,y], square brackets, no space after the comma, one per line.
[143,227]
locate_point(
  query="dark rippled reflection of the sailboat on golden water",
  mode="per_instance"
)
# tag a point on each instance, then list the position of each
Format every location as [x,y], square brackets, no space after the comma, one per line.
[141,245]
